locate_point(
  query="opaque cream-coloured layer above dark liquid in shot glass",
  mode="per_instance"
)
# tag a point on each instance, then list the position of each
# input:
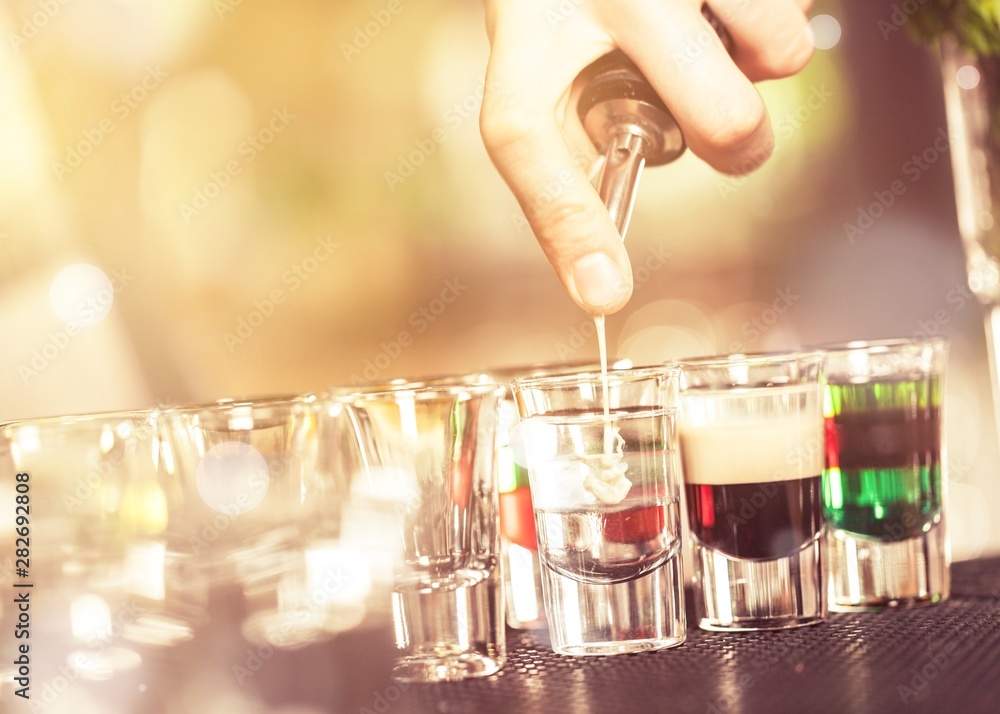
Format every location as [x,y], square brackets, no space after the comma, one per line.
[739,452]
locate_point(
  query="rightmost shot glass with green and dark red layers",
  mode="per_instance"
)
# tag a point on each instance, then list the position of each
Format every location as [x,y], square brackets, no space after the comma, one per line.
[884,483]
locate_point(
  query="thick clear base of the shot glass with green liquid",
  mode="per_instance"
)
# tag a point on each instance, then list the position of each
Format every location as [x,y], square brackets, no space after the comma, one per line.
[868,574]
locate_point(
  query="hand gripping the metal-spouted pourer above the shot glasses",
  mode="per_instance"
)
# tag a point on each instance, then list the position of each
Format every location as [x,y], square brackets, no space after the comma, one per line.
[538,49]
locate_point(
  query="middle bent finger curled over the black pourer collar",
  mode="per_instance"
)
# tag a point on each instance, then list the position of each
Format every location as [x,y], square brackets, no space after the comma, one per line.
[723,118]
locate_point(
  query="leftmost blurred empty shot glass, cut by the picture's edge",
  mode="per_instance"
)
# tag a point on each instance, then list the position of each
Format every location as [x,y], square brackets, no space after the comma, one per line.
[101,587]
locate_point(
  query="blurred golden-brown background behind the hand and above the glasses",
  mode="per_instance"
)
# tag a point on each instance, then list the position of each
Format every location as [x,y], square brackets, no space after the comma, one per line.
[216,198]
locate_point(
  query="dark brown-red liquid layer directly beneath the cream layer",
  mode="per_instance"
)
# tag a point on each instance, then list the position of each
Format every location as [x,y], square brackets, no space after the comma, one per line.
[756,520]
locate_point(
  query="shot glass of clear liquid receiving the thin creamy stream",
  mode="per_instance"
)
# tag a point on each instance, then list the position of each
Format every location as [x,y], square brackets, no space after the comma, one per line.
[605,492]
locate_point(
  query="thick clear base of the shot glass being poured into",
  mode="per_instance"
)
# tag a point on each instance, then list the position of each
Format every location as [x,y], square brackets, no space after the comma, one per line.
[638,615]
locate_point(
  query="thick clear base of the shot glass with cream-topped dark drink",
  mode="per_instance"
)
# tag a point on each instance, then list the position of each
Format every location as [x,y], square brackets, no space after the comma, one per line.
[738,594]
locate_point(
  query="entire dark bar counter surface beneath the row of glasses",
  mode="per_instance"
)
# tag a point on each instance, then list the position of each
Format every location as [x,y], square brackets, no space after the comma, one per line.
[942,658]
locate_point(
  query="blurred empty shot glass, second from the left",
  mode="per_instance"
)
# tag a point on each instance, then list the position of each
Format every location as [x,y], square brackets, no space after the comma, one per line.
[264,517]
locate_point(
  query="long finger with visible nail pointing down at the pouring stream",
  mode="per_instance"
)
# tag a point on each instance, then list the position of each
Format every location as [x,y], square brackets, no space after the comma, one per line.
[522,135]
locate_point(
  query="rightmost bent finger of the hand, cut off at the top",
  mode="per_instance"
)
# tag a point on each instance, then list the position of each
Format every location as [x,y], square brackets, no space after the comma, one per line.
[770,39]
